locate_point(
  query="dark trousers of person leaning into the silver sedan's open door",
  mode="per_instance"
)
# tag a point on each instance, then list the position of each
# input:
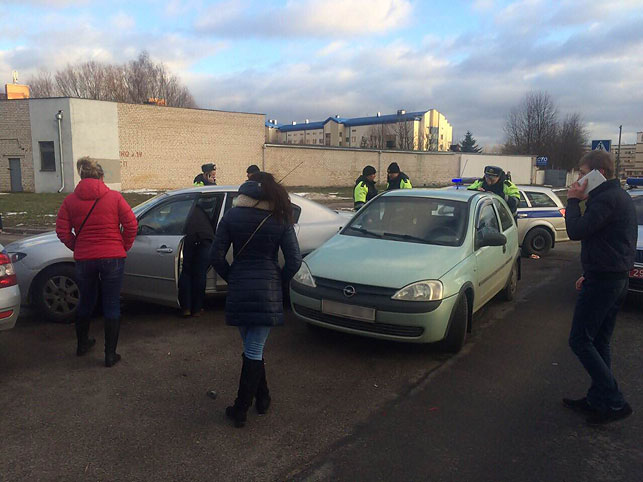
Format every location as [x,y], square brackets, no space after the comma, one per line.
[196,262]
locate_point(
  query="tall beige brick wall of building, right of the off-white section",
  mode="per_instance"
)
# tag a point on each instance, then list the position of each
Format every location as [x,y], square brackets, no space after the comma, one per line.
[164,147]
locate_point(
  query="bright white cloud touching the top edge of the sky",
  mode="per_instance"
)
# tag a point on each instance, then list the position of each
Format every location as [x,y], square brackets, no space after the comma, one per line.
[308,18]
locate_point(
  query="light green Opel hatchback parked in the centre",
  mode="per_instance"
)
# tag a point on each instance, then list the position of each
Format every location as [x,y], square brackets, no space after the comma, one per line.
[412,265]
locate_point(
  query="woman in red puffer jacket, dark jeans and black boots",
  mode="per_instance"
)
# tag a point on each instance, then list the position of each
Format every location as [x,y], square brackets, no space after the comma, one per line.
[96,214]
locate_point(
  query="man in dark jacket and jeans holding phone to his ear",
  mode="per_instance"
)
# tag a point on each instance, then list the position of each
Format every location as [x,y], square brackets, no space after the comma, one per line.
[607,231]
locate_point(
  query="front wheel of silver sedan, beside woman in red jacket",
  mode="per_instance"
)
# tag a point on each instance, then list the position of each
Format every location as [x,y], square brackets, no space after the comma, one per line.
[56,294]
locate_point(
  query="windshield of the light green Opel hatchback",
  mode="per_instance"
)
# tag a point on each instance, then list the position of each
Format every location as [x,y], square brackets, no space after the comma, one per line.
[412,219]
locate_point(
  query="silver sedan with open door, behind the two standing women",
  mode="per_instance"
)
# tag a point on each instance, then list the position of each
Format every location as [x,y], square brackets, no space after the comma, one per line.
[45,267]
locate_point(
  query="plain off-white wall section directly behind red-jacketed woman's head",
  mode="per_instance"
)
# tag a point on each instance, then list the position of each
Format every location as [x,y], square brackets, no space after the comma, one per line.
[95,134]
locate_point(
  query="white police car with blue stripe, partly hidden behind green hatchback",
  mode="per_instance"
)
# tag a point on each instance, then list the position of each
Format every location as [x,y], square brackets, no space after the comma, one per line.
[541,217]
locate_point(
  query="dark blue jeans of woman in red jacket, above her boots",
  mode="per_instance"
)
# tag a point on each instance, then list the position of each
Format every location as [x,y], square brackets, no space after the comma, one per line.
[110,273]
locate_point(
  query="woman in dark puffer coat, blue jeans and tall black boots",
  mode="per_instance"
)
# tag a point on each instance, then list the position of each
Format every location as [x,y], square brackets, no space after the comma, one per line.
[259,223]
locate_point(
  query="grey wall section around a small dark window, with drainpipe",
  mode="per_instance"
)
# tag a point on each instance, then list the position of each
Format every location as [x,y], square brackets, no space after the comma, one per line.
[44,127]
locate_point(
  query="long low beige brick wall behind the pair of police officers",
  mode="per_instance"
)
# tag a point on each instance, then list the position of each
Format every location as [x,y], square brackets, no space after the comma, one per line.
[326,167]
